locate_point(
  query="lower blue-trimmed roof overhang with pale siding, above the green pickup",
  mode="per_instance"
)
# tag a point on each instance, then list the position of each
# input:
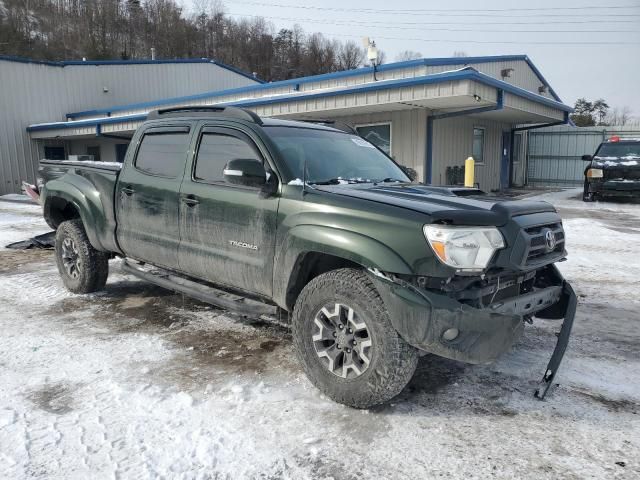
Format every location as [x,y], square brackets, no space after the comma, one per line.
[442,92]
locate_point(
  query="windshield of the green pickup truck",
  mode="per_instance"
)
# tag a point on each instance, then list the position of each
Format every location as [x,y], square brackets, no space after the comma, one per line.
[333,157]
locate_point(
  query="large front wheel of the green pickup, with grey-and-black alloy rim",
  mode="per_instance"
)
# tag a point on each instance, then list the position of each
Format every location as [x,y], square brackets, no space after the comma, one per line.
[344,338]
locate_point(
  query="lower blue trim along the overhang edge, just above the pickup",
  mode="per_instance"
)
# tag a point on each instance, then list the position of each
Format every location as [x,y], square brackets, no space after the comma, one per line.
[467,74]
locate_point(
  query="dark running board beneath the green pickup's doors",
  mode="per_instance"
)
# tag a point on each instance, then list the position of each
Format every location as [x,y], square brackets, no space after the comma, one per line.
[204,293]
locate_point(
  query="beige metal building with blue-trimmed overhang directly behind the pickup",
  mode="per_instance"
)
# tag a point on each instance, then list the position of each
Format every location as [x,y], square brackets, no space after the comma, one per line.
[429,114]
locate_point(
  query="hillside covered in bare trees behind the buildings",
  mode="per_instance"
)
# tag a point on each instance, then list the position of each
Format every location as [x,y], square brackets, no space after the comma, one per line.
[129,29]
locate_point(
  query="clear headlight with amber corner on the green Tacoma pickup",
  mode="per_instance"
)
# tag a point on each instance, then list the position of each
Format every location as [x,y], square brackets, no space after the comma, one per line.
[464,248]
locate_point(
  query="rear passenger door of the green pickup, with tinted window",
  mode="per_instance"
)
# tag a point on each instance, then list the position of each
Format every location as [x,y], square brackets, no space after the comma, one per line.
[147,204]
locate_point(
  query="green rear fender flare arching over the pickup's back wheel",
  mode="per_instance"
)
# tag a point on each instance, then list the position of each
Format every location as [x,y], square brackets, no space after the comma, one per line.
[89,207]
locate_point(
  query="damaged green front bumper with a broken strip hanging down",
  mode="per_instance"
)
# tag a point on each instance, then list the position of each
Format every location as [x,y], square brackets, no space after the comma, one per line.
[477,335]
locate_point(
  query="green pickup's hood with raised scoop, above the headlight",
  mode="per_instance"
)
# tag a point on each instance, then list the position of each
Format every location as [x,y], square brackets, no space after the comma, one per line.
[455,205]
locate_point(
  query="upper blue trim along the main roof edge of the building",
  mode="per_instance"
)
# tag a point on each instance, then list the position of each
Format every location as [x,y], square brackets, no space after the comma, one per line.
[317,78]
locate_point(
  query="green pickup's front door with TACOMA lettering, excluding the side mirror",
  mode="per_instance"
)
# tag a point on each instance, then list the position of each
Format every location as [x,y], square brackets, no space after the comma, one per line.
[228,231]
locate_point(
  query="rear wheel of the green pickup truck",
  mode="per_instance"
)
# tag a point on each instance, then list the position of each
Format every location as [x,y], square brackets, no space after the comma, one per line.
[83,268]
